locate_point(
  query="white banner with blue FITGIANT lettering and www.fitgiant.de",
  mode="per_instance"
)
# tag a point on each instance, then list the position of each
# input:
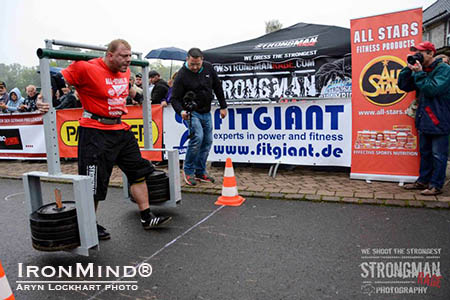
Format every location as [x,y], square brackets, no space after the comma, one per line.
[301,133]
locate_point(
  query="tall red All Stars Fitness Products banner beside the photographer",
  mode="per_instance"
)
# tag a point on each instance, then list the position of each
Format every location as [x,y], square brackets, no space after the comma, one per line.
[384,139]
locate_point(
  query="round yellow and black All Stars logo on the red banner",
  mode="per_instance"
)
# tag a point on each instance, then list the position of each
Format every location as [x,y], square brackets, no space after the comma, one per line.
[378,80]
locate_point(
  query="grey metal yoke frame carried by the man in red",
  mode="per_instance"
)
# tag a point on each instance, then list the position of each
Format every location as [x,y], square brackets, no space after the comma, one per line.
[82,185]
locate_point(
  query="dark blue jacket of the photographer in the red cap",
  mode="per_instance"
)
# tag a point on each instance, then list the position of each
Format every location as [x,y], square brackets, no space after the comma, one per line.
[433,95]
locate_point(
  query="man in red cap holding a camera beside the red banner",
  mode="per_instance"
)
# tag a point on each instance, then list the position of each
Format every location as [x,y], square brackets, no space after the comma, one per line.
[430,79]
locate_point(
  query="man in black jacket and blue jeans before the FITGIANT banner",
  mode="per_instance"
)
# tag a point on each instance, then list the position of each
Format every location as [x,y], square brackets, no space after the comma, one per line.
[196,81]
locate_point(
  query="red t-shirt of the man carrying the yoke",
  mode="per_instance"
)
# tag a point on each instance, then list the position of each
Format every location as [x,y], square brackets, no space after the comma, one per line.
[101,91]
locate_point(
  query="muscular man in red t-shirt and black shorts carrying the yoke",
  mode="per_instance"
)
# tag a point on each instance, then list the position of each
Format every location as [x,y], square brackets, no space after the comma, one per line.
[104,139]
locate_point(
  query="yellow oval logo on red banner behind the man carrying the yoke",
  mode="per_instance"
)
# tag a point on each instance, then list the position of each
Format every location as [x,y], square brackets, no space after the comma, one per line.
[69,131]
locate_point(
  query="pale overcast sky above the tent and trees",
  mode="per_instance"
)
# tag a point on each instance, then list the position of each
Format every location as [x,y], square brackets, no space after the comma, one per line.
[147,25]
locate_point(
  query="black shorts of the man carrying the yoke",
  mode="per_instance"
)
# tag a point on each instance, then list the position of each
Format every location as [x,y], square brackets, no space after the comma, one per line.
[98,152]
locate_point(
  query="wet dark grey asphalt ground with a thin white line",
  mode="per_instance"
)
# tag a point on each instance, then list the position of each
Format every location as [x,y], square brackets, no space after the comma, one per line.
[264,249]
